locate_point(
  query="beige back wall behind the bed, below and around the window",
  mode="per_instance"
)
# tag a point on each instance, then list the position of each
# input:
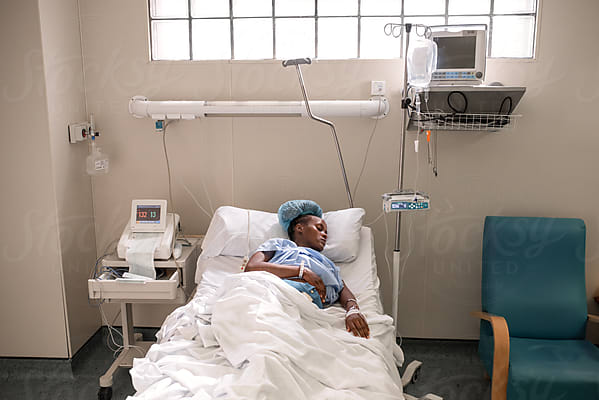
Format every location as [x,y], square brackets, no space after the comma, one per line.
[535,169]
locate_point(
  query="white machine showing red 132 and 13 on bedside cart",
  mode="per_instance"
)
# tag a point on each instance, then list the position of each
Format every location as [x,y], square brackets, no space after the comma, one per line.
[150,216]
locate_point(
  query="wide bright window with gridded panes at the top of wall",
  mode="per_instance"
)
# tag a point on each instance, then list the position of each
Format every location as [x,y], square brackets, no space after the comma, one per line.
[325,29]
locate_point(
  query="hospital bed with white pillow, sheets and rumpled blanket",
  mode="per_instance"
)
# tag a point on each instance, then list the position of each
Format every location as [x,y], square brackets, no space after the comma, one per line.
[252,336]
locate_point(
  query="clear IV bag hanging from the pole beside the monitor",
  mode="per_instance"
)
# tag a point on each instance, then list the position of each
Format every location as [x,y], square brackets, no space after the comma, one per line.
[422,61]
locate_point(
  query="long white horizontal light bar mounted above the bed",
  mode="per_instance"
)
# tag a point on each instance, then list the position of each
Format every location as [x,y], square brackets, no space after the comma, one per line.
[141,107]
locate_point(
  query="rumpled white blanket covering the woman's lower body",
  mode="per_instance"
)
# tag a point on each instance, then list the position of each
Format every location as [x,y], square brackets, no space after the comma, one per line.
[256,337]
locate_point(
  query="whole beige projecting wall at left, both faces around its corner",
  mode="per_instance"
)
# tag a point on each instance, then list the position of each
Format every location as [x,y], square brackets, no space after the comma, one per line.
[47,239]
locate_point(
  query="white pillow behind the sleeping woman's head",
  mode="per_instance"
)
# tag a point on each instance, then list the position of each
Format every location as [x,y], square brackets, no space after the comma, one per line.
[227,234]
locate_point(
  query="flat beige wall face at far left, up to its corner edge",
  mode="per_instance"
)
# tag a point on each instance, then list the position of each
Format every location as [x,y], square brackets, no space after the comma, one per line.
[31,301]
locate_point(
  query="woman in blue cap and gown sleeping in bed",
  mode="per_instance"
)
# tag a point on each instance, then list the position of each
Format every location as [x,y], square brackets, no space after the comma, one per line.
[299,262]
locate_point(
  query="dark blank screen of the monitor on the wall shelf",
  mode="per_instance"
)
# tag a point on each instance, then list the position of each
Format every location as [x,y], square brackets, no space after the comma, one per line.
[458,52]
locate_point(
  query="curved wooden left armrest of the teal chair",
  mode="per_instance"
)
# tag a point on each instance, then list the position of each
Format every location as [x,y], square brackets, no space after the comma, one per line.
[501,353]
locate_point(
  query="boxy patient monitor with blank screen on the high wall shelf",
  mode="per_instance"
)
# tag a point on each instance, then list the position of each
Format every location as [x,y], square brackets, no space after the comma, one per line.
[461,54]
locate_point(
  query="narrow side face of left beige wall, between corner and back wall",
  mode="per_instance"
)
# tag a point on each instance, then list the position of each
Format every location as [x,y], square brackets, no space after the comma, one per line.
[66,104]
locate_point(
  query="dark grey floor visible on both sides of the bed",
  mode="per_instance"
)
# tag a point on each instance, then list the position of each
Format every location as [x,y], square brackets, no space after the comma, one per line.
[451,369]
